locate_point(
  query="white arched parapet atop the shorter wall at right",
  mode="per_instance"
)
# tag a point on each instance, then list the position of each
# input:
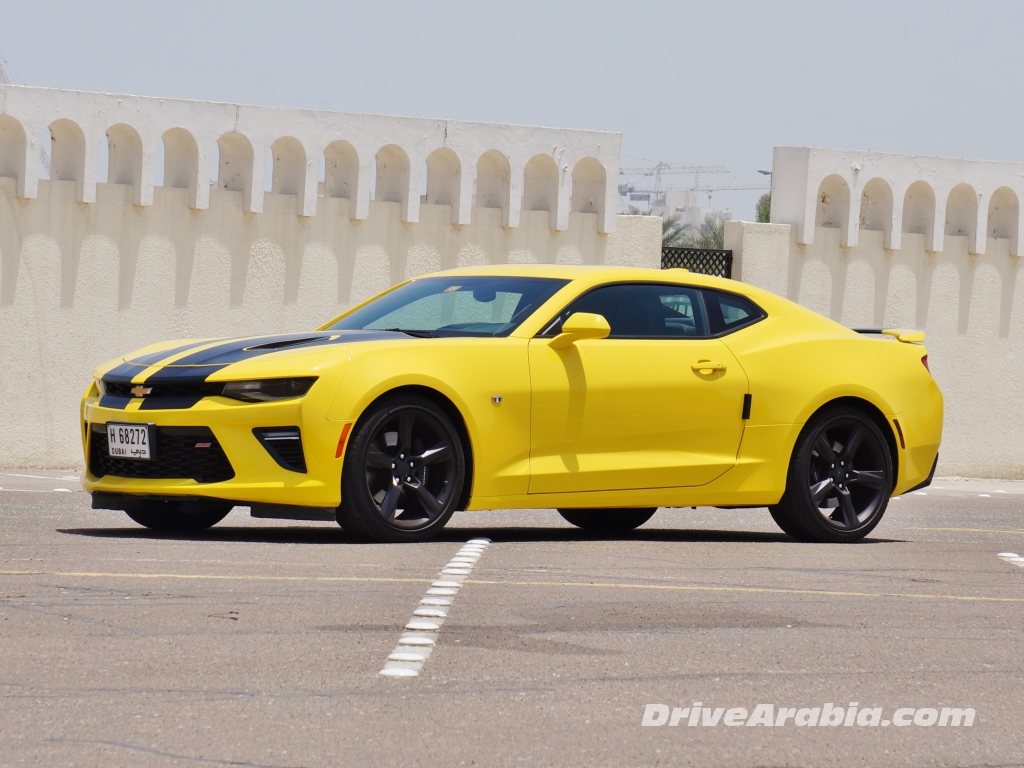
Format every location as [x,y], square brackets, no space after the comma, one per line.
[898,195]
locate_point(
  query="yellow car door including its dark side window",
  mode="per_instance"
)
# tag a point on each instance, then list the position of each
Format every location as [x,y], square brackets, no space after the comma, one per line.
[658,404]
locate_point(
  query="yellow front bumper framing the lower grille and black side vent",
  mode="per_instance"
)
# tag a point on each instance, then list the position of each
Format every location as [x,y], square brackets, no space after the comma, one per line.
[258,477]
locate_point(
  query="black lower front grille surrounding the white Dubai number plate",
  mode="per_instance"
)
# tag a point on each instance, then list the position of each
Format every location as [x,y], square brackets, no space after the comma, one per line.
[178,455]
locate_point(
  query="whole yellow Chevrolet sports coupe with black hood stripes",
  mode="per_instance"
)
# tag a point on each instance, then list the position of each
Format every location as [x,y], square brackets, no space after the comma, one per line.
[604,393]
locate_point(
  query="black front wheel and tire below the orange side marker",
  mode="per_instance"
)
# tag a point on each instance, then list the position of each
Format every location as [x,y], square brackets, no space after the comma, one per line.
[404,472]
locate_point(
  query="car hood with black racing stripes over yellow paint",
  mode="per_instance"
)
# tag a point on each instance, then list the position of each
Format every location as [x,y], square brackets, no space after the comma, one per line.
[195,361]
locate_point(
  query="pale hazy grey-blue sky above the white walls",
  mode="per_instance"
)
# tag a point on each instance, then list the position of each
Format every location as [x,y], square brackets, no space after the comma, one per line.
[703,83]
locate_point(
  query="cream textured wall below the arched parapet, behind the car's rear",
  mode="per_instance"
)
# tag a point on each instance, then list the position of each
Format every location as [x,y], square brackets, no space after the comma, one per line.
[967,297]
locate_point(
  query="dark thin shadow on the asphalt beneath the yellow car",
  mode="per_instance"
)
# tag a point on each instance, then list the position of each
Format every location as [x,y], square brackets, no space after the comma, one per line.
[510,535]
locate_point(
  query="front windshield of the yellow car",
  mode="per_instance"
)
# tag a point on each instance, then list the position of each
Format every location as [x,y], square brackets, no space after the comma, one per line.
[454,307]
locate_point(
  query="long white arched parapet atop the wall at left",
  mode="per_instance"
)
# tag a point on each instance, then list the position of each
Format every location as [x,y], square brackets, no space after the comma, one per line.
[361,152]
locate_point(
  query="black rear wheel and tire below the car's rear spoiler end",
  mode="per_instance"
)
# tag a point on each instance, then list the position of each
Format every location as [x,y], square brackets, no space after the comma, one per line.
[840,480]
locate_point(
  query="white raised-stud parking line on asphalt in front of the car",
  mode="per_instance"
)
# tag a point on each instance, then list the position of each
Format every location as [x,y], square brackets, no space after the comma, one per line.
[414,648]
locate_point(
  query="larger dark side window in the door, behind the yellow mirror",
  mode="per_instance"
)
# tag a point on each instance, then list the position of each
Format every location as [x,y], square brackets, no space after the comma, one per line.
[642,311]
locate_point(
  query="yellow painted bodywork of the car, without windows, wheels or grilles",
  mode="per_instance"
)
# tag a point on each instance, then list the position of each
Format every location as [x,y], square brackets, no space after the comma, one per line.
[604,423]
